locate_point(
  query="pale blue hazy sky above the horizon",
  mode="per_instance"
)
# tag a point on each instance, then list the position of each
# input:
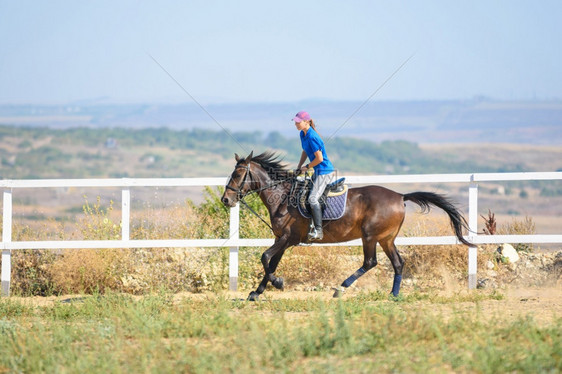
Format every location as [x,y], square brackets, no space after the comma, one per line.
[260,51]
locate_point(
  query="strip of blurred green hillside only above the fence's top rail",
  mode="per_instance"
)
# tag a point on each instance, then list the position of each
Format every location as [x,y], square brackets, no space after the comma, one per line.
[81,152]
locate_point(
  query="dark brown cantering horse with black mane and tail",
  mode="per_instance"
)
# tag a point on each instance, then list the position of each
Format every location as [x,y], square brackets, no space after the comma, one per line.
[373,213]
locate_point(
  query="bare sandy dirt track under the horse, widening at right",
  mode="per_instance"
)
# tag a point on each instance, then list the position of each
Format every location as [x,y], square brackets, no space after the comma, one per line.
[531,287]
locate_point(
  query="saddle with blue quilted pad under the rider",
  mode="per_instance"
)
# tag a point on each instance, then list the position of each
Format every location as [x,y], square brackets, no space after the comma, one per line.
[332,201]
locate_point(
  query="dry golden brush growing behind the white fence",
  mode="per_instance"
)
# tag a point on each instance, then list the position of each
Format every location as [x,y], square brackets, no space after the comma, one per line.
[139,271]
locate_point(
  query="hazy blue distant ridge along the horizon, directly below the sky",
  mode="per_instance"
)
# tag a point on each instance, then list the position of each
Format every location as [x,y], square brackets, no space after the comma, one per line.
[471,121]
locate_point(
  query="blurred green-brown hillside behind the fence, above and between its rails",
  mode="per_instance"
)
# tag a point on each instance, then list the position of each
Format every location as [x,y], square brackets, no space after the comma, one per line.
[35,152]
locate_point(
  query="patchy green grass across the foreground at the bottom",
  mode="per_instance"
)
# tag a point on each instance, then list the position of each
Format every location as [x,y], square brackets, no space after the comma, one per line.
[370,332]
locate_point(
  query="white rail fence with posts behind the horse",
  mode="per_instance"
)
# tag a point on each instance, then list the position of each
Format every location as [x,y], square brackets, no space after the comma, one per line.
[234,241]
